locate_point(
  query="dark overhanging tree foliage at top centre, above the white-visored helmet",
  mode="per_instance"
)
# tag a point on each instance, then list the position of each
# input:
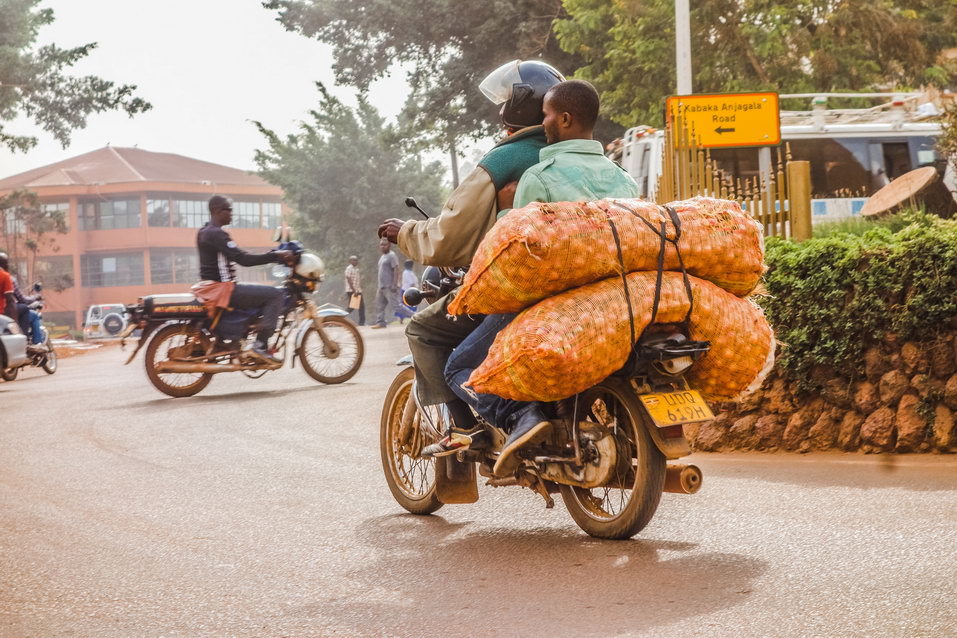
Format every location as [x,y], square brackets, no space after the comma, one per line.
[447,46]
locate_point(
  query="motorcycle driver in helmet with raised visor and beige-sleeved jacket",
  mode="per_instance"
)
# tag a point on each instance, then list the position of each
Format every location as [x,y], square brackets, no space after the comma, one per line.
[451,238]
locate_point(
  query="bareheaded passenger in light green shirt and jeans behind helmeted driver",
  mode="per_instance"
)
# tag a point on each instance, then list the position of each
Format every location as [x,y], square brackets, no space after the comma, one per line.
[572,168]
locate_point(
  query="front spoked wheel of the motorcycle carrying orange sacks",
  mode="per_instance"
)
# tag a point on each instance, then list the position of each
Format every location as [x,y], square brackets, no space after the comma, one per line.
[411,478]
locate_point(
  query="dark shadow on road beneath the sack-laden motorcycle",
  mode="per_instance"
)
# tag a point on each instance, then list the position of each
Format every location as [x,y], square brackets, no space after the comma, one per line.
[547,581]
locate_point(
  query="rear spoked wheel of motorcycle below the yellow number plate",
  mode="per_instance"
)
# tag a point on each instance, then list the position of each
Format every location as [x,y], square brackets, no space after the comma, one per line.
[622,508]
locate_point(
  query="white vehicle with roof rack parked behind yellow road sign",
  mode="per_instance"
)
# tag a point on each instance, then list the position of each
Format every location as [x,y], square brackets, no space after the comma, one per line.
[853,152]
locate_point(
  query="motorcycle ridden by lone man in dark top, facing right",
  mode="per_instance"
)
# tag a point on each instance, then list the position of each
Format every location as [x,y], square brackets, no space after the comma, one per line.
[185,347]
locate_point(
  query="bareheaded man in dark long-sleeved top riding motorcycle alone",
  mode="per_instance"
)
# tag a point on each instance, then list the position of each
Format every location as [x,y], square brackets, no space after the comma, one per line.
[218,254]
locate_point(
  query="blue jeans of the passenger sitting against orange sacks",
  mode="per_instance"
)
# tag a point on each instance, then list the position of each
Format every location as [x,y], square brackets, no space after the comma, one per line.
[467,357]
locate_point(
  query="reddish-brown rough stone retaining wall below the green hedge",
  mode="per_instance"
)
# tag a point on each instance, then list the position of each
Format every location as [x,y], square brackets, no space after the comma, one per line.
[905,402]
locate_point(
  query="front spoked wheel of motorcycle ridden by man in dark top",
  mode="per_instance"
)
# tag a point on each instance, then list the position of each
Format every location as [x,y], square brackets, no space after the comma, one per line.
[332,365]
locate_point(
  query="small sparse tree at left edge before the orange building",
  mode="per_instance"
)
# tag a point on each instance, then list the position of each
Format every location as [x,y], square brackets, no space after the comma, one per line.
[29,228]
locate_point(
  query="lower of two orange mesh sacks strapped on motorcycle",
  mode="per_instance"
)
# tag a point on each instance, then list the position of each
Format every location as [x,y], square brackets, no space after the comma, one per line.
[569,342]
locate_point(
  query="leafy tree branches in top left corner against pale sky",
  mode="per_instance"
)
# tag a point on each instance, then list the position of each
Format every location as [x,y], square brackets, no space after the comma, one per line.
[34,80]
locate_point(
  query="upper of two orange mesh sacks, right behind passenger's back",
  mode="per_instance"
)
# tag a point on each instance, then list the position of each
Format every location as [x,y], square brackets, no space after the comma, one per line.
[543,249]
